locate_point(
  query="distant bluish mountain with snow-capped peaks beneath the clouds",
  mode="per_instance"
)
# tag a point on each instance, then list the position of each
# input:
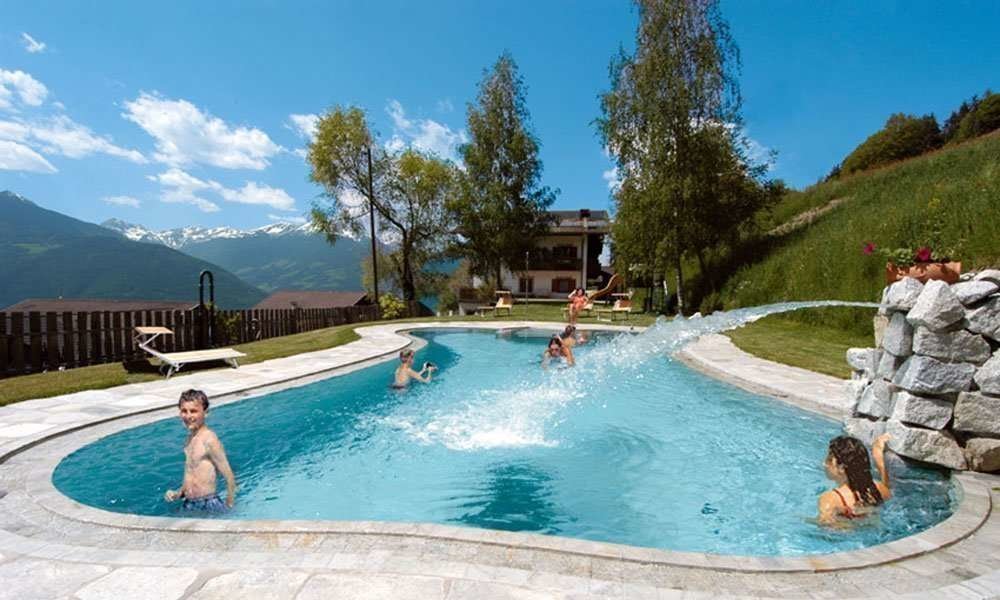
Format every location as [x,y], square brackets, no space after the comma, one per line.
[278,256]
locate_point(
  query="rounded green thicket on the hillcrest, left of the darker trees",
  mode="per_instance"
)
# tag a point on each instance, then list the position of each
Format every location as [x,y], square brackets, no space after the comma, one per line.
[903,136]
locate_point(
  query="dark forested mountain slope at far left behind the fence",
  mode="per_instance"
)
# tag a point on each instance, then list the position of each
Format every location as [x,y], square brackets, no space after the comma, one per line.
[47,254]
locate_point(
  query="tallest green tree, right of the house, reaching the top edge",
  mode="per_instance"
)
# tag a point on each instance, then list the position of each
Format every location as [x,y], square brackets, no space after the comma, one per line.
[671,121]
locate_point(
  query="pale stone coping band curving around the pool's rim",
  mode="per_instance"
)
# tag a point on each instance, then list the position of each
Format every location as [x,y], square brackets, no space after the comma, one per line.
[973,510]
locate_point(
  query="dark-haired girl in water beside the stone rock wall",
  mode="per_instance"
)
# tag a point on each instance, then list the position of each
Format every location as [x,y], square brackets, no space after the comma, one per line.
[856,494]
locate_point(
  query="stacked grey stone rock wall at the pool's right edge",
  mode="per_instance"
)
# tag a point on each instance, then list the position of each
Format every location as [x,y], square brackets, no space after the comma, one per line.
[933,381]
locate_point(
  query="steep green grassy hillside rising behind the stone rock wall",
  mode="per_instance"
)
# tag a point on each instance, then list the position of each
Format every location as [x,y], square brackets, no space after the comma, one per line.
[946,199]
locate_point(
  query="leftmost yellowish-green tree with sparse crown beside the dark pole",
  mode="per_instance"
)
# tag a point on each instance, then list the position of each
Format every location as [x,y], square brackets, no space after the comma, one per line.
[409,191]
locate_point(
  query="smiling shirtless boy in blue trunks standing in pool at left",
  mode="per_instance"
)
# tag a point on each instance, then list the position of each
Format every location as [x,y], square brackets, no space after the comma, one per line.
[204,460]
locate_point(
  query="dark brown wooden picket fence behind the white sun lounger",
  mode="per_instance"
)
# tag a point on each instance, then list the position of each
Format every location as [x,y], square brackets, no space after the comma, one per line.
[34,342]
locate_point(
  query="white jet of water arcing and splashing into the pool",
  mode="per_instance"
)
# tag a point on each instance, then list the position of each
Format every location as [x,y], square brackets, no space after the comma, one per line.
[525,415]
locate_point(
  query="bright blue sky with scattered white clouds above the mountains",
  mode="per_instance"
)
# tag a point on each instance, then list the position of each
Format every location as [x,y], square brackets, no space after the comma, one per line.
[191,113]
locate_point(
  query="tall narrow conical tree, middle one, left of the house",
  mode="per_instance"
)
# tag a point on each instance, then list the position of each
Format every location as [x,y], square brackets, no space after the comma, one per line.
[501,208]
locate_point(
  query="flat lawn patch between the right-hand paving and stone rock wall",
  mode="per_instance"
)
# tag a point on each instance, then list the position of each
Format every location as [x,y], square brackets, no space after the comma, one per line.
[802,344]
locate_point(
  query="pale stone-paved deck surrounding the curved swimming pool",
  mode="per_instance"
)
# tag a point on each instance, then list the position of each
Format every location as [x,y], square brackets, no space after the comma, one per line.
[52,547]
